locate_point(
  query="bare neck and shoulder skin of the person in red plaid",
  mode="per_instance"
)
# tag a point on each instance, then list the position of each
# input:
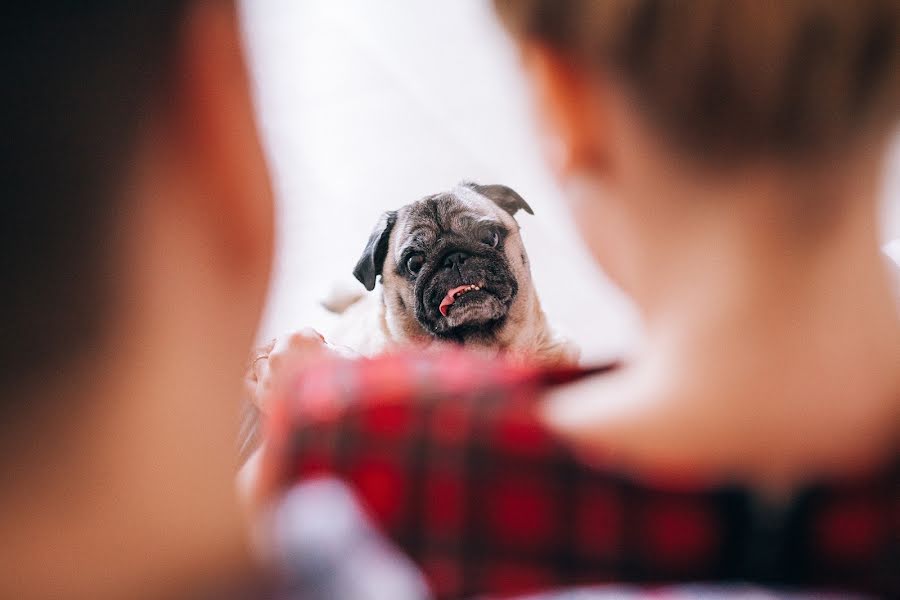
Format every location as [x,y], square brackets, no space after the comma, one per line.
[771,352]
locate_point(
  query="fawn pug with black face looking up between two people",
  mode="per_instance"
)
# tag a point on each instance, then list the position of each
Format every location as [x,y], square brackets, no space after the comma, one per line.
[453,270]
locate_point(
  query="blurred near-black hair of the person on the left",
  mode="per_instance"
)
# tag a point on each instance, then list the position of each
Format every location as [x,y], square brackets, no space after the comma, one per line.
[78,79]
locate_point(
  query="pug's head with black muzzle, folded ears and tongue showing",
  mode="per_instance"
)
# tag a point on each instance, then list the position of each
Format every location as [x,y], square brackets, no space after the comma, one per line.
[452,265]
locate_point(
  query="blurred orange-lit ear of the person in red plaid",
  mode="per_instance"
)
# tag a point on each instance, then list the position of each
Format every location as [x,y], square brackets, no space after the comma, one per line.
[570,110]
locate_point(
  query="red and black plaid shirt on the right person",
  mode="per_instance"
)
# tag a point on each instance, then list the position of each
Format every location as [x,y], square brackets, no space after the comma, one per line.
[450,460]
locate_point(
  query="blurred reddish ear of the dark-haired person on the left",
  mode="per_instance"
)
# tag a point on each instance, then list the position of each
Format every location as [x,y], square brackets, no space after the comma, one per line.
[215,116]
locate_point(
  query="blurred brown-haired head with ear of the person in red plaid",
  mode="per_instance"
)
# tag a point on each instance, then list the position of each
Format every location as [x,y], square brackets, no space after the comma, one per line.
[641,96]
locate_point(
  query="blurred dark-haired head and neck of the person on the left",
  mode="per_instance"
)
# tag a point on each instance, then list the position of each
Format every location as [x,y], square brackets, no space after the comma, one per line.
[136,248]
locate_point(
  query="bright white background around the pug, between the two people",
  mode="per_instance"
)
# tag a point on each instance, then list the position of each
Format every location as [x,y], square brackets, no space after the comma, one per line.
[368,105]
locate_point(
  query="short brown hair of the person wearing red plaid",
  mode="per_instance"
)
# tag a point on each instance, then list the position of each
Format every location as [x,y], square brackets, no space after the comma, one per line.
[736,78]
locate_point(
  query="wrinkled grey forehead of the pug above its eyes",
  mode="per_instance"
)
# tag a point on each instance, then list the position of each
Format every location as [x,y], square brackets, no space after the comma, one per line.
[461,211]
